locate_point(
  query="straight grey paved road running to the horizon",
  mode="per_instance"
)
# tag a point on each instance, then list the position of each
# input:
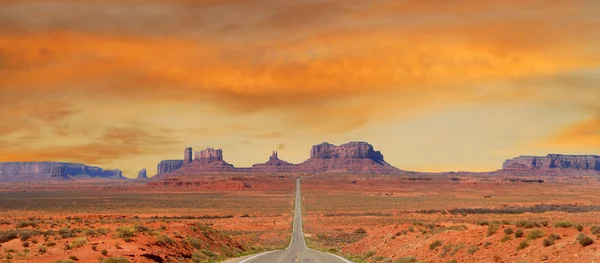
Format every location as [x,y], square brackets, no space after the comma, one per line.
[297,251]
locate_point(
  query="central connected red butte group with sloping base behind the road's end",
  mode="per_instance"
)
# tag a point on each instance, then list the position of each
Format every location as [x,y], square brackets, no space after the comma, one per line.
[354,157]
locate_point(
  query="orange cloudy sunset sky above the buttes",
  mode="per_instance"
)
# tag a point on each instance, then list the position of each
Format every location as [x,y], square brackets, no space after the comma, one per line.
[434,85]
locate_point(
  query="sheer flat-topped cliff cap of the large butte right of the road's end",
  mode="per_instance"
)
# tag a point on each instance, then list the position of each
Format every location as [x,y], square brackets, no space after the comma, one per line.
[352,150]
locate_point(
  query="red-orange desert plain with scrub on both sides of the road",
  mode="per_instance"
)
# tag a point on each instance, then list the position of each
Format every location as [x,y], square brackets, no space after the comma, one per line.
[362,217]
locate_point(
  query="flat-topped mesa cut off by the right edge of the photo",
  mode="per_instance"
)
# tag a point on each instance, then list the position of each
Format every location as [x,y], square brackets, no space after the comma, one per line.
[551,161]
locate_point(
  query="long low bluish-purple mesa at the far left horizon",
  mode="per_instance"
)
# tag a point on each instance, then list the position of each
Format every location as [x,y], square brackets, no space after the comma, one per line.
[47,171]
